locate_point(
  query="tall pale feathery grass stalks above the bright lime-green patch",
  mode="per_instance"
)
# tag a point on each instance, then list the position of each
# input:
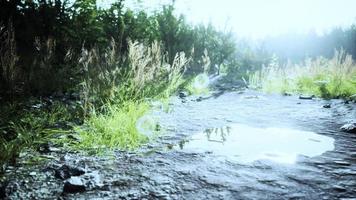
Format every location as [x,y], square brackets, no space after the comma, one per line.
[144,73]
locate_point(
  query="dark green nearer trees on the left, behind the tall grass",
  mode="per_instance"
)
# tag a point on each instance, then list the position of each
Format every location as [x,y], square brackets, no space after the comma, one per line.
[42,41]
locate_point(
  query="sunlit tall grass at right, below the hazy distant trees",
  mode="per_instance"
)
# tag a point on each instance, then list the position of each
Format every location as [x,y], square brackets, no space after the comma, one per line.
[327,78]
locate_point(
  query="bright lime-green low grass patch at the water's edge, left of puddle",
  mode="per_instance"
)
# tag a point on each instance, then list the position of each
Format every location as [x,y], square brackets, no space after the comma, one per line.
[114,129]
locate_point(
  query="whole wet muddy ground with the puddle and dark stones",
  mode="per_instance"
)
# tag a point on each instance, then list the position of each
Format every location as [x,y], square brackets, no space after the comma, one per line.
[235,145]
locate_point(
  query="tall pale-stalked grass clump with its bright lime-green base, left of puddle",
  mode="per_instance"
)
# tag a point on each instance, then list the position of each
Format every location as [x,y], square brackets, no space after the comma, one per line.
[121,85]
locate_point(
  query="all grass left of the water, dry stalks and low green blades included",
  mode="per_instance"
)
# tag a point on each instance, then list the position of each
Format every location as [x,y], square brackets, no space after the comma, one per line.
[112,100]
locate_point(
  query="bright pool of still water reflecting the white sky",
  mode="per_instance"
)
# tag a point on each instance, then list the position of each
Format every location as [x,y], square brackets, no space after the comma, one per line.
[246,144]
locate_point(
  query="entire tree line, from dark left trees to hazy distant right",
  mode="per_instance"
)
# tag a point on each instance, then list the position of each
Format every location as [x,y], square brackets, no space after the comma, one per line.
[41,42]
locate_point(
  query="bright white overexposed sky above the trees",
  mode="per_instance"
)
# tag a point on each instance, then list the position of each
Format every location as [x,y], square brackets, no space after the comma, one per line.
[260,18]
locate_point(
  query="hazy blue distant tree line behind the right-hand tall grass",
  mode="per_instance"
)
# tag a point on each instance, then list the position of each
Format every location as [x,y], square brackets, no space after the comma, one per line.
[297,46]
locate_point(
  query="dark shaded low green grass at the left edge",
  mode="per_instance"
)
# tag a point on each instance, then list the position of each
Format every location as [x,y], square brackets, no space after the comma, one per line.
[23,128]
